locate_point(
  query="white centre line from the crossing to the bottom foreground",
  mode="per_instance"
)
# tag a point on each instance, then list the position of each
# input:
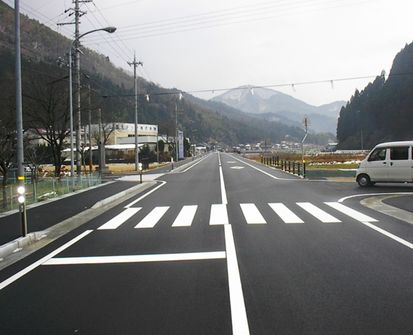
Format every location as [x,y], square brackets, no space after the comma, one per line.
[238,312]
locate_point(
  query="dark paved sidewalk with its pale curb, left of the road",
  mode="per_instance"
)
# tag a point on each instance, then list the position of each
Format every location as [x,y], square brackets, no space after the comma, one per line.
[58,216]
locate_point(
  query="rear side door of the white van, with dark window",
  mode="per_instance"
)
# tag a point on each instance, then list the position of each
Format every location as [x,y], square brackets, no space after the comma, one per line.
[400,165]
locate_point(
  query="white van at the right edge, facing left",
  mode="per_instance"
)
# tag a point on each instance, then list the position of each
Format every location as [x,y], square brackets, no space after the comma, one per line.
[387,162]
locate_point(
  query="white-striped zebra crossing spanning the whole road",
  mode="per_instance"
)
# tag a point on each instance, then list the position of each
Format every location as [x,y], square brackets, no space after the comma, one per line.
[251,214]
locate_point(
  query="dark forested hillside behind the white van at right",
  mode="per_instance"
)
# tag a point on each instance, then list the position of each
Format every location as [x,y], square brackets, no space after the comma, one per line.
[383,111]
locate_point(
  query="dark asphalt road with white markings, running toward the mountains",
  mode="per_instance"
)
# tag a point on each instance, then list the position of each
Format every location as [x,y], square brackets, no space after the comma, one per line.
[223,246]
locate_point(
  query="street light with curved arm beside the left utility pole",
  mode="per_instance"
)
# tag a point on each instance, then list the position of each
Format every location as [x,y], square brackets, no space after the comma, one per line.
[78,121]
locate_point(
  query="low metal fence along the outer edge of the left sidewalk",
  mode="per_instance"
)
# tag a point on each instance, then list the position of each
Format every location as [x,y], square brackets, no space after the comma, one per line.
[45,188]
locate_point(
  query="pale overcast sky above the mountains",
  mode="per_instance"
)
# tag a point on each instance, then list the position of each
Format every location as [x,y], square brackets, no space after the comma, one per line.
[212,44]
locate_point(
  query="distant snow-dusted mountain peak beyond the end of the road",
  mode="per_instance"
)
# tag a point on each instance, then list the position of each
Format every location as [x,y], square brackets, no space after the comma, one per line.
[279,107]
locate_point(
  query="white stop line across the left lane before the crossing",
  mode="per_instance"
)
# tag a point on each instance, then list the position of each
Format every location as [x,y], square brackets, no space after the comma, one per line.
[137,258]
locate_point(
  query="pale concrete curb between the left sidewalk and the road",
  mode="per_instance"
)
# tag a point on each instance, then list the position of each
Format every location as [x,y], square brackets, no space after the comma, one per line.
[23,246]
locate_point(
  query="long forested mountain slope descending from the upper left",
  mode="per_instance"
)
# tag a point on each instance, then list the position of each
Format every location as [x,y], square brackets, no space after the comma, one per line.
[112,92]
